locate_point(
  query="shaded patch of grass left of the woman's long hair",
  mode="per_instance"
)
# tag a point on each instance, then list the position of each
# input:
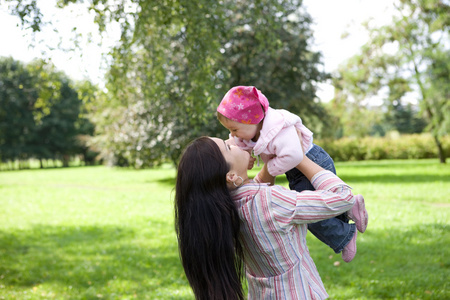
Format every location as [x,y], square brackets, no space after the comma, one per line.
[89,261]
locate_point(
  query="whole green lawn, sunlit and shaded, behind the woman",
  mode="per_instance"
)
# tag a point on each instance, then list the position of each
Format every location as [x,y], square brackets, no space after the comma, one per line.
[102,233]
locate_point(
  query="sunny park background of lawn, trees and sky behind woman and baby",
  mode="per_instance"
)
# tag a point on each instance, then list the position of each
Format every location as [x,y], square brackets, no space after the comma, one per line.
[88,165]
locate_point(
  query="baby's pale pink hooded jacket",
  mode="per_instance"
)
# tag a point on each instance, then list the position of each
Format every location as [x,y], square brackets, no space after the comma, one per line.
[278,143]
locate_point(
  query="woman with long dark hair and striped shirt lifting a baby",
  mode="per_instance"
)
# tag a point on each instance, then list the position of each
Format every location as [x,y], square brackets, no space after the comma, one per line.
[223,219]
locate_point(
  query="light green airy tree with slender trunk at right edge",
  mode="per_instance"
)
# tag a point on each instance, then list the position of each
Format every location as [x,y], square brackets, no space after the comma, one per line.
[417,40]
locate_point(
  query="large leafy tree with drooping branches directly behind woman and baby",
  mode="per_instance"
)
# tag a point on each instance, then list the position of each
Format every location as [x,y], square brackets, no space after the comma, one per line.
[176,59]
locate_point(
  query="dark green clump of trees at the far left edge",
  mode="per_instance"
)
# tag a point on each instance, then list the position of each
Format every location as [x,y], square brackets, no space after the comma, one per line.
[39,113]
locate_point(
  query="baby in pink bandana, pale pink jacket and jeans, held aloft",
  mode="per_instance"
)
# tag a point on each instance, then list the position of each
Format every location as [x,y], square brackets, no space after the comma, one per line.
[273,135]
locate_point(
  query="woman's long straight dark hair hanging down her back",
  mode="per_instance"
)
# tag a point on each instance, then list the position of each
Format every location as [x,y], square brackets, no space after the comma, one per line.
[207,223]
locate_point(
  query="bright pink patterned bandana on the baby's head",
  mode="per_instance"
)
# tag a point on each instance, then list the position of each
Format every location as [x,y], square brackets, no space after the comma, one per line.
[244,104]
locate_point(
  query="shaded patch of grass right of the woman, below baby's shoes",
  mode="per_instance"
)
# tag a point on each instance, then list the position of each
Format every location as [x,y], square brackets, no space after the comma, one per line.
[412,263]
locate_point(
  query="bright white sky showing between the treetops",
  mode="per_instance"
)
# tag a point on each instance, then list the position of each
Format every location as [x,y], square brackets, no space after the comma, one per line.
[331,19]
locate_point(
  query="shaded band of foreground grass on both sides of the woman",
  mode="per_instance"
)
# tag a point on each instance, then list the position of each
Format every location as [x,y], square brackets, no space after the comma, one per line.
[116,262]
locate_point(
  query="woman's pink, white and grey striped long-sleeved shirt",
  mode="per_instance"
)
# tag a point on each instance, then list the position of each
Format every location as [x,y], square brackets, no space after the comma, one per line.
[273,234]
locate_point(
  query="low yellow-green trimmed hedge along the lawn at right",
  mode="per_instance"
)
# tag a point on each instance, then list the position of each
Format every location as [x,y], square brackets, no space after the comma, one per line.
[393,146]
